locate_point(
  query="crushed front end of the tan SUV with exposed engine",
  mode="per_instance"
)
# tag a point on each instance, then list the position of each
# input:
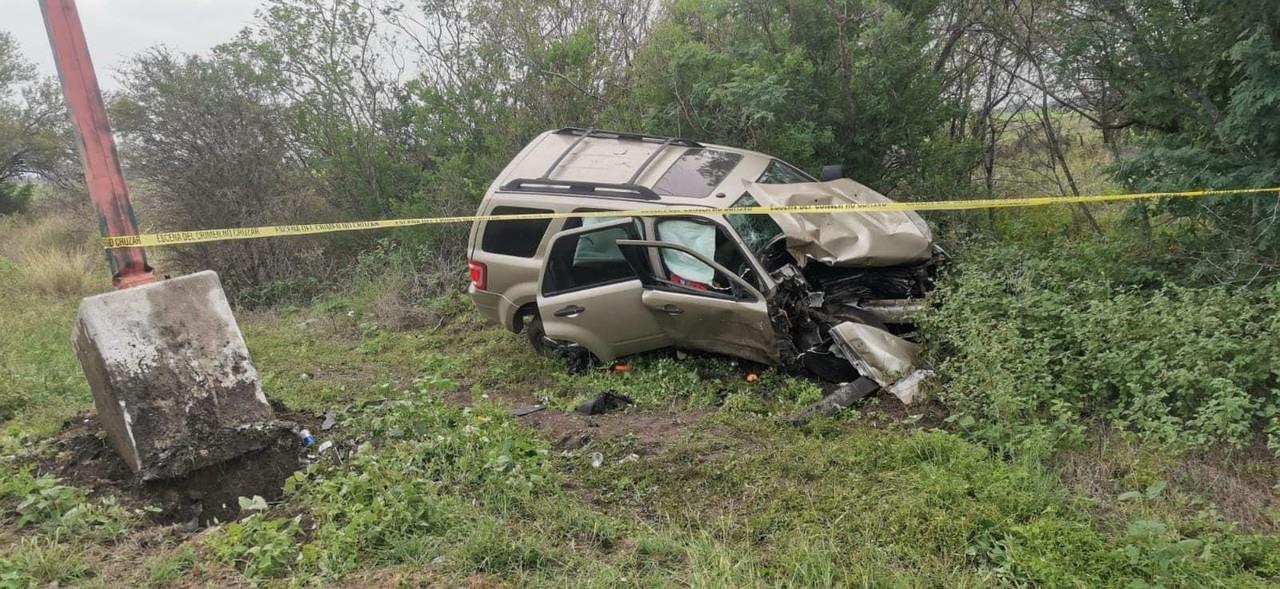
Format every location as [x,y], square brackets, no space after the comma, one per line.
[847,285]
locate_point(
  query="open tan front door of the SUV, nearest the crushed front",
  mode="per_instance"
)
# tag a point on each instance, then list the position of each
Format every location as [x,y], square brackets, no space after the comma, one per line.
[725,316]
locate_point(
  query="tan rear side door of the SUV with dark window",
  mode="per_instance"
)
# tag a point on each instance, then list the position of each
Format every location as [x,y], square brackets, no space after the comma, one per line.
[592,296]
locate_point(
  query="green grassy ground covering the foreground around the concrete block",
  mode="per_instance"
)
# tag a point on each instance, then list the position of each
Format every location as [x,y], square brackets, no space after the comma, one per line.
[454,495]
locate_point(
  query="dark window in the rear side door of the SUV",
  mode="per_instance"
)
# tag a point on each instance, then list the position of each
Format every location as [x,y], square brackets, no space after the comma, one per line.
[587,261]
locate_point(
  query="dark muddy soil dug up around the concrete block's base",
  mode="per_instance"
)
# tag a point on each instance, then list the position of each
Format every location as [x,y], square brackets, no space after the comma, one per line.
[83,458]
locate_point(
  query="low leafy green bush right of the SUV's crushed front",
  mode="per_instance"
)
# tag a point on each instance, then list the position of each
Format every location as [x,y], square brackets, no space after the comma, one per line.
[1037,346]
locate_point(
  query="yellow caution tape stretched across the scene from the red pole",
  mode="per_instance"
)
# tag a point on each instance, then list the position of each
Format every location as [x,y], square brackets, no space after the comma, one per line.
[175,239]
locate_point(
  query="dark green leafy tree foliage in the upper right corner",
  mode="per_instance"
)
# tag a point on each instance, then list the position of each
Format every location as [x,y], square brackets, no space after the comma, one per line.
[1205,88]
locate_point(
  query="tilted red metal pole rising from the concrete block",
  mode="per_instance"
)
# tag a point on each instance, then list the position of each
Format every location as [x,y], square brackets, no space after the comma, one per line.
[103,173]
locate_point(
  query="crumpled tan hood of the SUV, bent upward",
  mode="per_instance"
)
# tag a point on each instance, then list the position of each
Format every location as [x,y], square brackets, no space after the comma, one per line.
[857,240]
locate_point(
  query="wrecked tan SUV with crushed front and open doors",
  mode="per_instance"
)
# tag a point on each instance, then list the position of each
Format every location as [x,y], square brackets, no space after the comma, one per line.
[825,294]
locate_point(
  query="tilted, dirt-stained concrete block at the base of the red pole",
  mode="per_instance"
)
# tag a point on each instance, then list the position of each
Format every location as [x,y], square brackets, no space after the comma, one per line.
[171,376]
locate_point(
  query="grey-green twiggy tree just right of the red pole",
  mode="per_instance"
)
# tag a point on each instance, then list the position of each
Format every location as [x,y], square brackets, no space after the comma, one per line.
[207,147]
